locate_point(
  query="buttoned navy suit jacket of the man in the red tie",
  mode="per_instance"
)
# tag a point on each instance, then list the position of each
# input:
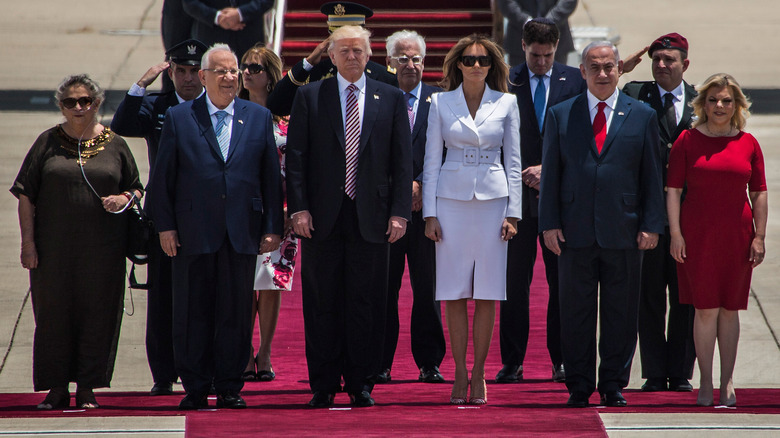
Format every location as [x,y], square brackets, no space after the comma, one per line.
[604,198]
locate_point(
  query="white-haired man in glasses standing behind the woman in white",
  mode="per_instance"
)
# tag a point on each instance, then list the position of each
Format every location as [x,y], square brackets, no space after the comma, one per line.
[406,55]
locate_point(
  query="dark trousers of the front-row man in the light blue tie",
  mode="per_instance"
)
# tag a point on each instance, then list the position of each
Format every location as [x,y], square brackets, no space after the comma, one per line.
[212,318]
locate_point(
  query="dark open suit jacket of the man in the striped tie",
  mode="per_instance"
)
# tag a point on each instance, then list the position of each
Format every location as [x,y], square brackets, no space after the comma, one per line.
[316,163]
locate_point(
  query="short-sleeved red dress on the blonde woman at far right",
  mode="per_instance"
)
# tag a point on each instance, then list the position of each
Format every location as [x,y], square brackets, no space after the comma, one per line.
[716,218]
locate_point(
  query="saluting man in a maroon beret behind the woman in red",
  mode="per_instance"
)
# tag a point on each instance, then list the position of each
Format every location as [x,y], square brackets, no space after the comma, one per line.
[667,351]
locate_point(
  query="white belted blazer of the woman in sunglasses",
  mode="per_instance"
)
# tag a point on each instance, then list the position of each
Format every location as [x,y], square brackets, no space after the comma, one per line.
[473,166]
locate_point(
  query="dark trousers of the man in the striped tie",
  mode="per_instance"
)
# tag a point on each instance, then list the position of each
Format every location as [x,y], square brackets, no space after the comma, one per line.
[344,281]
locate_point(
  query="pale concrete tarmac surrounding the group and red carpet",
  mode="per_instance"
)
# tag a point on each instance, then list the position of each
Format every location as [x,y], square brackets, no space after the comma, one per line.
[116,41]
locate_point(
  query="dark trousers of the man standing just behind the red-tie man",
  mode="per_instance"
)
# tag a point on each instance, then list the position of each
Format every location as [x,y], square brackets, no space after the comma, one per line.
[514,314]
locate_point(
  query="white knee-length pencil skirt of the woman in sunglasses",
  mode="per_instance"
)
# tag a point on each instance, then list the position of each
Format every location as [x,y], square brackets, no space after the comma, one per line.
[471,256]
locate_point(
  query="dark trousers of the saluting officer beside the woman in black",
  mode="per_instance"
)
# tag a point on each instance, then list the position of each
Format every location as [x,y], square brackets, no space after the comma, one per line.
[159,315]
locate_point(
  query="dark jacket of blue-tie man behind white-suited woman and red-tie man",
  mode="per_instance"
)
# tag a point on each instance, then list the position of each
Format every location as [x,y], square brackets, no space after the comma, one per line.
[565,83]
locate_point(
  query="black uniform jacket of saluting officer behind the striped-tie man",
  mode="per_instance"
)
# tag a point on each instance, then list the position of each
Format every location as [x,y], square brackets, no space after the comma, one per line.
[280,99]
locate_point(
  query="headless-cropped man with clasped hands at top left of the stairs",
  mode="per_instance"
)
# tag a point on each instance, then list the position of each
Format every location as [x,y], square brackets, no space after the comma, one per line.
[238,23]
